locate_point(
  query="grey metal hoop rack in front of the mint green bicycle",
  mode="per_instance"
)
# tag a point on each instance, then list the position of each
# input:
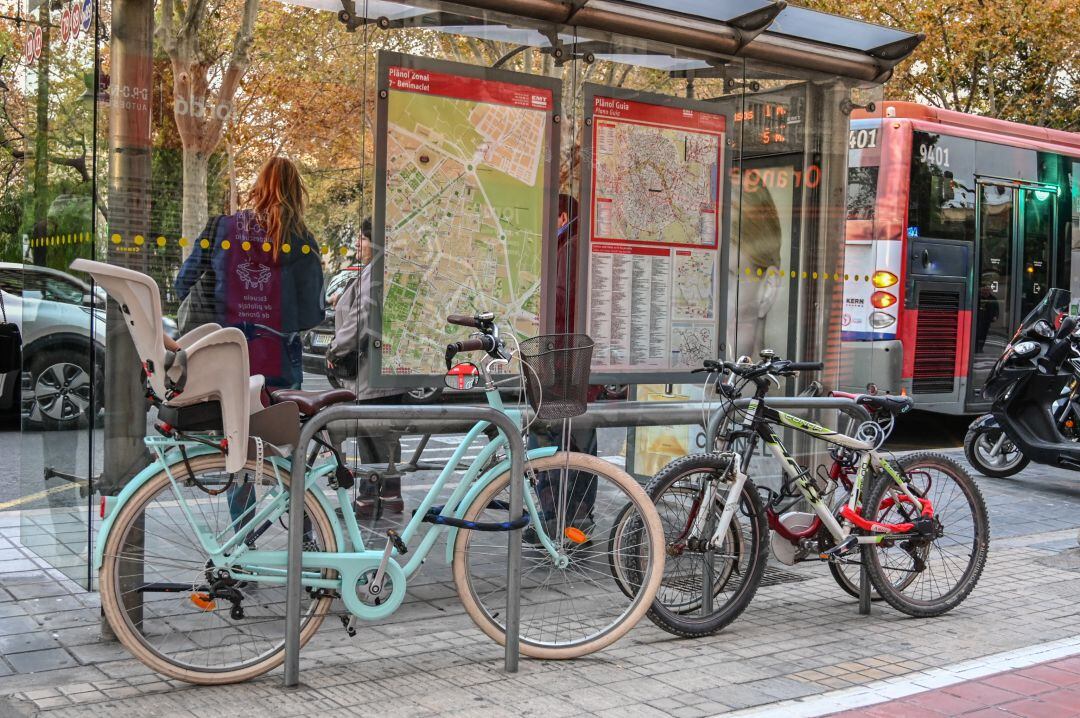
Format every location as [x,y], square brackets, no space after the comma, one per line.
[402,418]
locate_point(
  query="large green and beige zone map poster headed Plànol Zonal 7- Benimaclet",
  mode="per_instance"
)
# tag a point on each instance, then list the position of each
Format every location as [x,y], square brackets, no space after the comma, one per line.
[463,206]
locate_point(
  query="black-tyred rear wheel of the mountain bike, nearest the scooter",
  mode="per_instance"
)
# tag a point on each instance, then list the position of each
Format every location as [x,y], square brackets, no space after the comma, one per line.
[933,576]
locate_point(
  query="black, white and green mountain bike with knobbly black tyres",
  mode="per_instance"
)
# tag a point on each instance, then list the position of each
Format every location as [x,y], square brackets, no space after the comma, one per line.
[925,541]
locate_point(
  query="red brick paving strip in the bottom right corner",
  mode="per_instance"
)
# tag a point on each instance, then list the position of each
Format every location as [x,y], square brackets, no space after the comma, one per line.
[1048,690]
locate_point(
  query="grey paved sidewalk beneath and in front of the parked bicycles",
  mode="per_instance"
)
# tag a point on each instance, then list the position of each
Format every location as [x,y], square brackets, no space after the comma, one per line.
[801,639]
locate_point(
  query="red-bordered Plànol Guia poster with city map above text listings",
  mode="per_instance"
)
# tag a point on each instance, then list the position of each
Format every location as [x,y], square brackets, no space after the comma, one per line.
[654,184]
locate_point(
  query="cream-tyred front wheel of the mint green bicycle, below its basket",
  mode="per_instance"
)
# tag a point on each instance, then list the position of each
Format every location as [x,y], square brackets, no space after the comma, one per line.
[572,605]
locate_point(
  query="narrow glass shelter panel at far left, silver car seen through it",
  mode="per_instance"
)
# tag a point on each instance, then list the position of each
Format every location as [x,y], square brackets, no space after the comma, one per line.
[51,459]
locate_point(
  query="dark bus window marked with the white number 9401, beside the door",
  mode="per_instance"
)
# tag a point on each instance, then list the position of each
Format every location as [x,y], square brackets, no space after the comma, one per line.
[942,201]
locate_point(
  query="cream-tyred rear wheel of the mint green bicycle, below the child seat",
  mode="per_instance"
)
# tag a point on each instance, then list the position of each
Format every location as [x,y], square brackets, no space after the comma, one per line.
[171,607]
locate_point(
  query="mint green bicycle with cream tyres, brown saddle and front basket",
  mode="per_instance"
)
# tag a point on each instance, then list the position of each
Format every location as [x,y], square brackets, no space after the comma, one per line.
[193,557]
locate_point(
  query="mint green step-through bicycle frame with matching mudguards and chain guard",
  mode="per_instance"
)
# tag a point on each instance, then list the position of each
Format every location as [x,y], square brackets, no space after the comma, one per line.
[269,567]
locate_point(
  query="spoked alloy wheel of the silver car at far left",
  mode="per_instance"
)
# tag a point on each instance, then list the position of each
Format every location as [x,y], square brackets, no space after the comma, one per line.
[60,389]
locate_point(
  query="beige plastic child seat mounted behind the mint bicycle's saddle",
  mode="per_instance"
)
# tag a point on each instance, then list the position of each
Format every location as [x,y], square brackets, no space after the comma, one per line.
[211,367]
